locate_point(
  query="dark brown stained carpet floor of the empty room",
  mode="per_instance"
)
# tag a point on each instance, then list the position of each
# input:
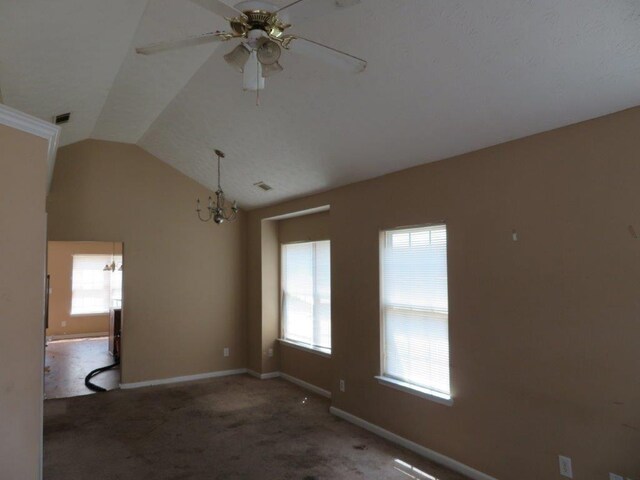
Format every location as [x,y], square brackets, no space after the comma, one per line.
[228,428]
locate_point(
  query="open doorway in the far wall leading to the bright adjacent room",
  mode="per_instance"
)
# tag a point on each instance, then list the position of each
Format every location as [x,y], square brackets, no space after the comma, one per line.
[83,317]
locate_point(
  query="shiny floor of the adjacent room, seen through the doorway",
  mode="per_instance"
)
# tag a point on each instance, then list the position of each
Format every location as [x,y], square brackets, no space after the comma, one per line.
[67,362]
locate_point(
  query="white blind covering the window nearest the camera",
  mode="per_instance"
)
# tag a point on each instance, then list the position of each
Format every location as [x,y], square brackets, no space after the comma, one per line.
[415,307]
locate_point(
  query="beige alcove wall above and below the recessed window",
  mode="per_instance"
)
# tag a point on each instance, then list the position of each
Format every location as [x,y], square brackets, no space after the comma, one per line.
[310,367]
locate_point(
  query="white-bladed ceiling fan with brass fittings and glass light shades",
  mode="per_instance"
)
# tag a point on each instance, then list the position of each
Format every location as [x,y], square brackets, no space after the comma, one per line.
[262,28]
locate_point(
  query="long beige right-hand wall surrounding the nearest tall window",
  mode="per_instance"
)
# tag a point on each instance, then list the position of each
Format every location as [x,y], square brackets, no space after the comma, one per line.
[544,331]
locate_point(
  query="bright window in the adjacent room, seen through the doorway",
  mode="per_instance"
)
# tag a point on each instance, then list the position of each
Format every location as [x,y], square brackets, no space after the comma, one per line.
[93,290]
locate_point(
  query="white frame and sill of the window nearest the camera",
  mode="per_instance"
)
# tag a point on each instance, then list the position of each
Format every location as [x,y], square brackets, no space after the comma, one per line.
[389,381]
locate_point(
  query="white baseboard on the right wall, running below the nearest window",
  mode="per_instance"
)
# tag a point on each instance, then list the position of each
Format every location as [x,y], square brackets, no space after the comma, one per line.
[414,447]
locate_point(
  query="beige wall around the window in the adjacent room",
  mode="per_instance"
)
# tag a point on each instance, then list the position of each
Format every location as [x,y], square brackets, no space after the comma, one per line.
[60,270]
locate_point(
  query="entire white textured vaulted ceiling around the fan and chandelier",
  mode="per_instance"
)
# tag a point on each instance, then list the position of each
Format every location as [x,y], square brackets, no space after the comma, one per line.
[444,77]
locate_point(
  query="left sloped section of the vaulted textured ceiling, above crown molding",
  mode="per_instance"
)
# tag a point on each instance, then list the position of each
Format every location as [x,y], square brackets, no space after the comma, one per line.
[64,55]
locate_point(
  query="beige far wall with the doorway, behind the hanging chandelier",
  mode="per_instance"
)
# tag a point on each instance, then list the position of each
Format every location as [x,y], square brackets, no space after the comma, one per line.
[184,281]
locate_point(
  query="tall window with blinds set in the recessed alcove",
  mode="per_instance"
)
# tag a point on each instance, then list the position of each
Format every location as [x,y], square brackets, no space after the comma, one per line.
[306,294]
